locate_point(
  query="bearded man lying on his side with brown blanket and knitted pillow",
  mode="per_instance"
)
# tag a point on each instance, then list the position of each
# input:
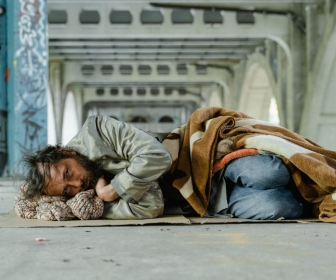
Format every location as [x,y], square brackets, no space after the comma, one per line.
[222,163]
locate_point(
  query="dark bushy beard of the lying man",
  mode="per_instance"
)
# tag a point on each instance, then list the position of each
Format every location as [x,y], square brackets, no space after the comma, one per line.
[94,171]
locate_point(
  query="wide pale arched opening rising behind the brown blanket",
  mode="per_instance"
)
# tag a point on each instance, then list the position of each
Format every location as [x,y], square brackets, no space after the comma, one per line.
[257,98]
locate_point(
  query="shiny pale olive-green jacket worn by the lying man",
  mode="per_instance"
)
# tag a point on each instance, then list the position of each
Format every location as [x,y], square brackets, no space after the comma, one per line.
[134,157]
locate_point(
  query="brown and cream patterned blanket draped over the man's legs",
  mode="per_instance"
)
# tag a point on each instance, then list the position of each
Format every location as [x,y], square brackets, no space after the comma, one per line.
[213,132]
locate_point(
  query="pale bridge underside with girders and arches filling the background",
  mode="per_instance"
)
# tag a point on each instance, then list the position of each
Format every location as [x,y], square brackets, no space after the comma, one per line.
[153,63]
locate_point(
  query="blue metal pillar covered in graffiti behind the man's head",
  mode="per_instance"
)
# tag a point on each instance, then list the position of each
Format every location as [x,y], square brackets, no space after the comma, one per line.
[28,80]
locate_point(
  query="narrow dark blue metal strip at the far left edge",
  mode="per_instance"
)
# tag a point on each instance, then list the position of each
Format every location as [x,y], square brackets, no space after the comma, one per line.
[3,88]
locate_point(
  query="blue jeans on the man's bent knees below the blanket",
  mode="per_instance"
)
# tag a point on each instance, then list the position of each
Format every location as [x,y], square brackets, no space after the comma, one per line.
[258,189]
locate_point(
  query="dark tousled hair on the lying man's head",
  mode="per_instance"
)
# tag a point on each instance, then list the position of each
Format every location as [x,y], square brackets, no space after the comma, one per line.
[37,167]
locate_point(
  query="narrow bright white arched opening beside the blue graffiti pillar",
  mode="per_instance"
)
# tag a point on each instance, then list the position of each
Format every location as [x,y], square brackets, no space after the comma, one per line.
[70,119]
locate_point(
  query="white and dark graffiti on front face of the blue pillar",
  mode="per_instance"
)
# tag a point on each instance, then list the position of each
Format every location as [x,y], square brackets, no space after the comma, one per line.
[32,61]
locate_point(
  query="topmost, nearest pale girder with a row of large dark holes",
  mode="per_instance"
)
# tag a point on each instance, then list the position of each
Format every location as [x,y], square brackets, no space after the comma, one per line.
[263,27]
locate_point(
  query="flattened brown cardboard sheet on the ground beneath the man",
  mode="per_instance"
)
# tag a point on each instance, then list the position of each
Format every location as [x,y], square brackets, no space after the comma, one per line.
[11,220]
